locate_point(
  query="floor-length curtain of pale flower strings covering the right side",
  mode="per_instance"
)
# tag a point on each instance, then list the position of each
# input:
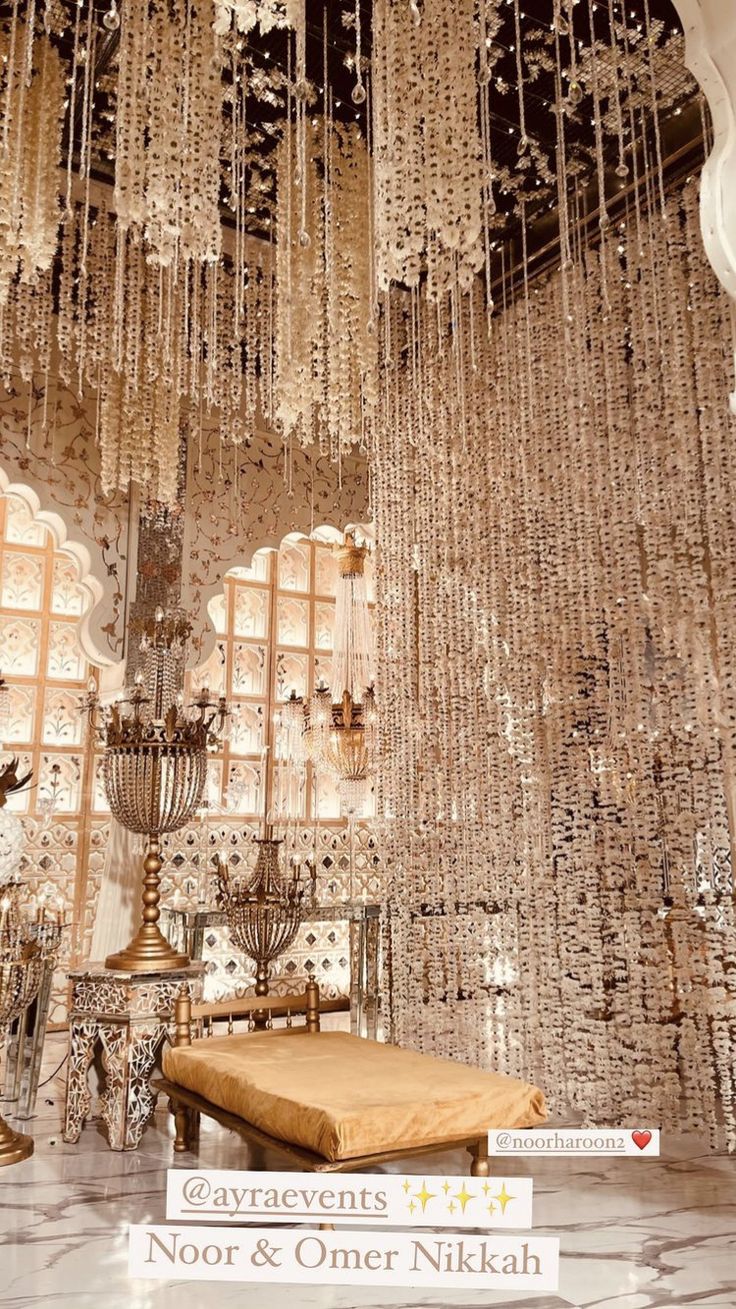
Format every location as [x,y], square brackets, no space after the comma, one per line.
[557,516]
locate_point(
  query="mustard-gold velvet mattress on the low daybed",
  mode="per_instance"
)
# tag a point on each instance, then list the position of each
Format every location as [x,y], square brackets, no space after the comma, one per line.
[342,1096]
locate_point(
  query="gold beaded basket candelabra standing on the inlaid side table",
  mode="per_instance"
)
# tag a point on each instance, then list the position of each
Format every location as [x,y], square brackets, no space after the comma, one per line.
[155,769]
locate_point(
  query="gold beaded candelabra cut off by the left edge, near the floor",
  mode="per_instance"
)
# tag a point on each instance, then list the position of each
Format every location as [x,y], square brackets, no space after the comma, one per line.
[28,946]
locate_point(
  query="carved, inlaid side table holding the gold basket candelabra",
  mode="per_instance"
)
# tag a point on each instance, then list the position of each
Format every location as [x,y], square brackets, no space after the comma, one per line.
[128,1015]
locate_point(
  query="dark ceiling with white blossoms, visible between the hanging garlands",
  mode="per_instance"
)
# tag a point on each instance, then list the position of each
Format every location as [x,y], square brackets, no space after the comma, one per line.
[527,184]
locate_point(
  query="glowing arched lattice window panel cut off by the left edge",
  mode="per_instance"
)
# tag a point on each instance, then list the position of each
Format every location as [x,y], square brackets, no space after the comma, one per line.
[65,814]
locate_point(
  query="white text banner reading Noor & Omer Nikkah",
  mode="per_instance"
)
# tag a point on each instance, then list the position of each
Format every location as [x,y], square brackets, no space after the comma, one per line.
[341,1259]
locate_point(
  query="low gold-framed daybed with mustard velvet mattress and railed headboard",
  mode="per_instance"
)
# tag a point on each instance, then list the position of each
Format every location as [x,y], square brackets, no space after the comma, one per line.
[331,1100]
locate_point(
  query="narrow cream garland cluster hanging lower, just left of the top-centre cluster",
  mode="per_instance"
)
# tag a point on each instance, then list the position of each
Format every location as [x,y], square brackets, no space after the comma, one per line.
[327,344]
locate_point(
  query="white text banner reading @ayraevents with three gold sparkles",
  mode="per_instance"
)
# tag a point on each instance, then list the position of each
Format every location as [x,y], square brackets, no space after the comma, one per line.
[222,1196]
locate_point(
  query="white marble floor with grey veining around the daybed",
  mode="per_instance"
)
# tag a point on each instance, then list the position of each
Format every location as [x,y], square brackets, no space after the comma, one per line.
[633,1235]
